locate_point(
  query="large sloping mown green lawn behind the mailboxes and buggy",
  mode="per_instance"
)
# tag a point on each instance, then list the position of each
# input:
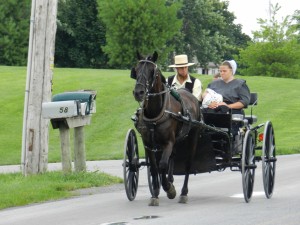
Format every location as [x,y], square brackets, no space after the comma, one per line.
[278,101]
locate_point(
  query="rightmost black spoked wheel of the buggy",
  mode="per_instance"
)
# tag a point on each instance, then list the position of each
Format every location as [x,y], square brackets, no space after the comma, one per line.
[268,159]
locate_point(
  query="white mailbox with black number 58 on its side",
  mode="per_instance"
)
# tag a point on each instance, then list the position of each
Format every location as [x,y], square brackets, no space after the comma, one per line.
[62,109]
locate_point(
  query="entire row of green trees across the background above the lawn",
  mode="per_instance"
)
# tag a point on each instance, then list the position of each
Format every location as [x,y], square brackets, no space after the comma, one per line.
[107,34]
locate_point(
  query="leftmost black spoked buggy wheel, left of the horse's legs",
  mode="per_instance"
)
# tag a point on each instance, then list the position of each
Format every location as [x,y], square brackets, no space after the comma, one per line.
[131,165]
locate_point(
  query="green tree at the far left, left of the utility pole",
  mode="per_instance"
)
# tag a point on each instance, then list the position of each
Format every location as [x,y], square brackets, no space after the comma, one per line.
[14,32]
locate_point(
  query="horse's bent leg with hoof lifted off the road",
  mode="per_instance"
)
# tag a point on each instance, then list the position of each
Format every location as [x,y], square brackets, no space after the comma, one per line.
[164,168]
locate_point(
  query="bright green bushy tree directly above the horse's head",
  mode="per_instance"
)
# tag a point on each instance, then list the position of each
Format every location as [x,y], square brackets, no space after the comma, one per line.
[138,25]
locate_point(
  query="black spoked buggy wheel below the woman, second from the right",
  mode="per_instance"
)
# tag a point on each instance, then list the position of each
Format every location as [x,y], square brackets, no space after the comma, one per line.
[248,165]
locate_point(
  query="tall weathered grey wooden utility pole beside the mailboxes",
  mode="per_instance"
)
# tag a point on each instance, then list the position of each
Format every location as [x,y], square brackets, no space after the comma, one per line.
[40,63]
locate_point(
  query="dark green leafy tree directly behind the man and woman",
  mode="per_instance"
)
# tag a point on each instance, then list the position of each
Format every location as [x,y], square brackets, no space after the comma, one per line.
[208,32]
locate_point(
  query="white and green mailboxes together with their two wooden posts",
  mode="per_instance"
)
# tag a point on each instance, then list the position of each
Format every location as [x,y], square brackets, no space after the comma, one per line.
[71,110]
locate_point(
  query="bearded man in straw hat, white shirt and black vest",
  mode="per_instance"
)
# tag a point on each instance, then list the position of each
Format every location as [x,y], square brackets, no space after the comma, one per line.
[182,79]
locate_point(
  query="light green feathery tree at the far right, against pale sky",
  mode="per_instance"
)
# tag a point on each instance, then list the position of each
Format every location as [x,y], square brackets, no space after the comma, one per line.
[275,50]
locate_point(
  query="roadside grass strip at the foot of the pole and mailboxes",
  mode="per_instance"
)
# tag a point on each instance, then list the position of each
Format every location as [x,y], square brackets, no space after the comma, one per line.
[17,190]
